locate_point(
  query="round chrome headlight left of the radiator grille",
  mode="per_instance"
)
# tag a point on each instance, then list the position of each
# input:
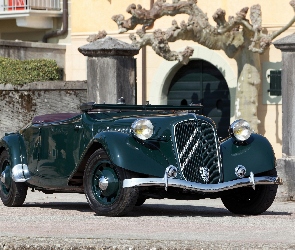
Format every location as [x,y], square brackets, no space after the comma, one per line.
[142,128]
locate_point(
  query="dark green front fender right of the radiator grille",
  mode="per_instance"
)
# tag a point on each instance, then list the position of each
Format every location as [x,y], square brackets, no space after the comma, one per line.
[257,156]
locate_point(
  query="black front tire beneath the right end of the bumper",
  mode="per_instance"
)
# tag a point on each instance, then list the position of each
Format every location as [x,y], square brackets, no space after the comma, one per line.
[248,201]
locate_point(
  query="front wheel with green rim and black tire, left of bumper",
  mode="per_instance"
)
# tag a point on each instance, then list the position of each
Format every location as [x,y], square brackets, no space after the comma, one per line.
[113,200]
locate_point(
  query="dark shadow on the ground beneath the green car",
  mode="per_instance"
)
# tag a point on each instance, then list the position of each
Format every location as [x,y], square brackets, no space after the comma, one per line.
[153,210]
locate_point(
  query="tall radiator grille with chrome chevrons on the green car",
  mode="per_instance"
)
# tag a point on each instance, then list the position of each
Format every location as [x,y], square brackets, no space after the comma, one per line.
[197,151]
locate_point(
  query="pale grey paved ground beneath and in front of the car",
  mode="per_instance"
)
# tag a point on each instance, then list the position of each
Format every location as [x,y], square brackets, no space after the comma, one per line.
[65,221]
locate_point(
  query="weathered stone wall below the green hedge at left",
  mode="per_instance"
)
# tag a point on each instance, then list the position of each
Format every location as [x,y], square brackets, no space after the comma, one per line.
[18,105]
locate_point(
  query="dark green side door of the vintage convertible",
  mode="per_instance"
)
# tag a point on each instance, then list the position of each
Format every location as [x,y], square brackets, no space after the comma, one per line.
[59,149]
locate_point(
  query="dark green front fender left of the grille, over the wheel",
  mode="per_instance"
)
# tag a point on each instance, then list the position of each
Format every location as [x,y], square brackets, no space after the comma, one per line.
[128,153]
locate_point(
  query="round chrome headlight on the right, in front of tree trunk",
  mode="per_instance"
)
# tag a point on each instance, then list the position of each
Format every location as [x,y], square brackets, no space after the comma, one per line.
[240,129]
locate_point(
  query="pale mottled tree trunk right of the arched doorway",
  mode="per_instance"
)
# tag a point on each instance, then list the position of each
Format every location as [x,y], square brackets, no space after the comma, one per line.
[249,81]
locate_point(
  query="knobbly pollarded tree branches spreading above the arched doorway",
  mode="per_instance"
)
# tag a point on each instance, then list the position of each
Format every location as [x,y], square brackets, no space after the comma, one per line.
[225,36]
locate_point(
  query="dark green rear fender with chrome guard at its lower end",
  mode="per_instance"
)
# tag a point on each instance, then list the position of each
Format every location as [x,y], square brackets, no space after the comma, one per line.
[15,146]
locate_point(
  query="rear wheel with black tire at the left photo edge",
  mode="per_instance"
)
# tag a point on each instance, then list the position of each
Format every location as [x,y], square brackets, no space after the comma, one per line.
[12,194]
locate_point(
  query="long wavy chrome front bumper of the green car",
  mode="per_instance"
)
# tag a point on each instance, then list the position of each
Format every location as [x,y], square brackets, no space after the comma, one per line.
[207,188]
